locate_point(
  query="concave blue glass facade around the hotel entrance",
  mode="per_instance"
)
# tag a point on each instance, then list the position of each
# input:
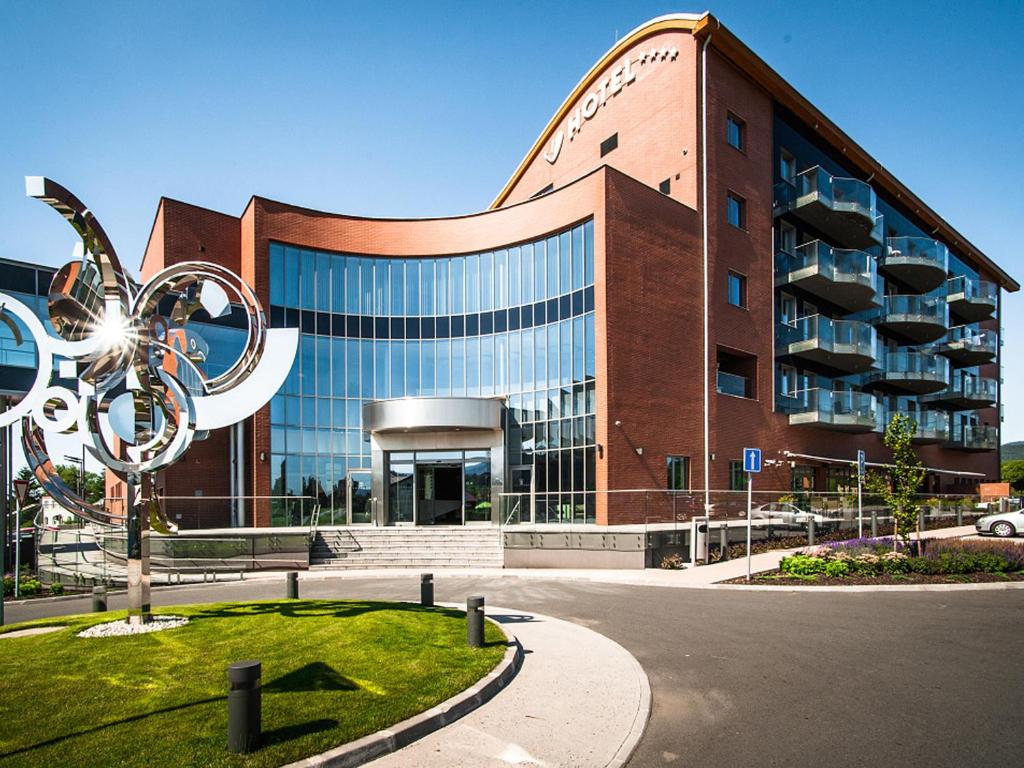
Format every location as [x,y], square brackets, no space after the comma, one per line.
[517,322]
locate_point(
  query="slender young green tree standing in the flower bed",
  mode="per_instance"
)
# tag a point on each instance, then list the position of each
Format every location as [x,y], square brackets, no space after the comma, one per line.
[900,486]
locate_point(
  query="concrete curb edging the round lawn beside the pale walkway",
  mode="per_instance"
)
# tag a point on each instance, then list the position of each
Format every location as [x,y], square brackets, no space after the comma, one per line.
[391,740]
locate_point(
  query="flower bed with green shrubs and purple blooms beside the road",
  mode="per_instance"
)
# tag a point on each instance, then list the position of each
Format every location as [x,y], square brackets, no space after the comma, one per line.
[875,562]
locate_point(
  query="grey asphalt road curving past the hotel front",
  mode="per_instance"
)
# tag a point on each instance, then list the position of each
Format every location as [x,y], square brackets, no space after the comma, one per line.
[764,678]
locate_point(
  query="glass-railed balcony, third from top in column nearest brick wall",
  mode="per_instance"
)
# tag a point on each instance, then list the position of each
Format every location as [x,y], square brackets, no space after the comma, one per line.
[828,346]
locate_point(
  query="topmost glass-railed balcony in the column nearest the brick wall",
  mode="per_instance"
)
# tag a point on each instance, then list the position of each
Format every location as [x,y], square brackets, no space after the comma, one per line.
[844,209]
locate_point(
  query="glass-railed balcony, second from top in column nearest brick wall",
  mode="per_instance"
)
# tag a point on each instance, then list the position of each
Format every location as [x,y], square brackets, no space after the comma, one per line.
[846,278]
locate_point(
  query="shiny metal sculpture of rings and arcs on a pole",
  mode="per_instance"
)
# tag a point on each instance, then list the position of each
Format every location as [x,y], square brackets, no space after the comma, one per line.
[142,394]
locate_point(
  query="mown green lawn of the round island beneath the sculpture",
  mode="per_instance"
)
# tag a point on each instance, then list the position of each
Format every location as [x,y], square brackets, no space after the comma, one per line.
[333,672]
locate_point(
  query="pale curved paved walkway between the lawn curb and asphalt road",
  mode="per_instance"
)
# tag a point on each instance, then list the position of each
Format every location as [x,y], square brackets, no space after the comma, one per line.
[580,700]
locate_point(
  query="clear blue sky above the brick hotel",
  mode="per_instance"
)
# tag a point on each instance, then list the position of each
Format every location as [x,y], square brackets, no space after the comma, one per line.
[416,110]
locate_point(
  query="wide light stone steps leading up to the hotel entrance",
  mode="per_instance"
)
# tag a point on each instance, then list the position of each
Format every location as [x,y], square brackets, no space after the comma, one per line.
[401,547]
